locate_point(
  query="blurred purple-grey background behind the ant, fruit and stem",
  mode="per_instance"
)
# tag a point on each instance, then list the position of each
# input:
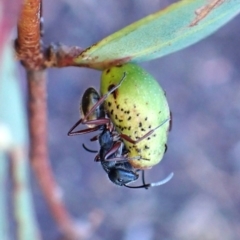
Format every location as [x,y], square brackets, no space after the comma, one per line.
[202,83]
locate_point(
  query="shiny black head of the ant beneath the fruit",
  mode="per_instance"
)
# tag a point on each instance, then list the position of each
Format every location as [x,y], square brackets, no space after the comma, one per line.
[122,176]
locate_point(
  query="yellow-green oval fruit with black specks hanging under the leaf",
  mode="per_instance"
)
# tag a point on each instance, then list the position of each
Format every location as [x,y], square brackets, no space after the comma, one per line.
[137,106]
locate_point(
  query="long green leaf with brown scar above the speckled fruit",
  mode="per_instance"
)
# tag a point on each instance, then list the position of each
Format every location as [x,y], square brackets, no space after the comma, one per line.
[169,30]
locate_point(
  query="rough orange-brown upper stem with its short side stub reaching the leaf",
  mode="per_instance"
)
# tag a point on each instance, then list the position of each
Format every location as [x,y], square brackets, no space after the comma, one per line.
[28,44]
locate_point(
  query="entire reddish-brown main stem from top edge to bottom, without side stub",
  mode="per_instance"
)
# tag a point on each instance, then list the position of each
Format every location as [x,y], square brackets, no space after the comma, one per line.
[29,51]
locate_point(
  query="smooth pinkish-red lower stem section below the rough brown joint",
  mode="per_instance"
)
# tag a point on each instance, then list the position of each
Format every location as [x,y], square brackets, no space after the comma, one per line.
[39,152]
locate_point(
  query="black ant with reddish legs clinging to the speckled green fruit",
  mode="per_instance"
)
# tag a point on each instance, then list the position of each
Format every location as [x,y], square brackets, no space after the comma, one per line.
[113,153]
